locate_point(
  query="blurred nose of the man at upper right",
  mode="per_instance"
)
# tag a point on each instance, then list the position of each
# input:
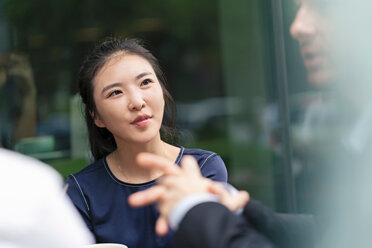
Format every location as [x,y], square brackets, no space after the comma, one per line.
[304,24]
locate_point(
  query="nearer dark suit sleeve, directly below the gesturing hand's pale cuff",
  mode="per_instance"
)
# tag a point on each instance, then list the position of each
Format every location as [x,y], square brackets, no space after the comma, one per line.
[210,224]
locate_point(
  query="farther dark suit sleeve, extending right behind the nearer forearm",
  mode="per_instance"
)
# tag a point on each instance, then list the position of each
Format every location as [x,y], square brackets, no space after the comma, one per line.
[284,230]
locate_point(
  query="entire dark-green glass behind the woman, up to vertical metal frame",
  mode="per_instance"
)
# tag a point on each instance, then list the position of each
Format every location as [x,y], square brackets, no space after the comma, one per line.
[218,56]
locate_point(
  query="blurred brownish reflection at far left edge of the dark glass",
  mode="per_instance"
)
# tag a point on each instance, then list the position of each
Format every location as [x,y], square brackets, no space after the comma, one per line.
[18,99]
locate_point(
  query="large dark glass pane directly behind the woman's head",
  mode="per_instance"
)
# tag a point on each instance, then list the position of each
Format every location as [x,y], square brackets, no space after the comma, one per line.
[45,41]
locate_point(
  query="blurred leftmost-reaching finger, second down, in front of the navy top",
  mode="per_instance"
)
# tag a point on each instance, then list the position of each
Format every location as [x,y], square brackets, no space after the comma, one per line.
[146,197]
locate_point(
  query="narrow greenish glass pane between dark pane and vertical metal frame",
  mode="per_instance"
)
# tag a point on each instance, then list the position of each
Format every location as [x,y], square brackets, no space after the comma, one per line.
[248,67]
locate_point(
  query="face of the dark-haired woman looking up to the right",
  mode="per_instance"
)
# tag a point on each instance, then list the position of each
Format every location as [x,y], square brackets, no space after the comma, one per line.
[129,99]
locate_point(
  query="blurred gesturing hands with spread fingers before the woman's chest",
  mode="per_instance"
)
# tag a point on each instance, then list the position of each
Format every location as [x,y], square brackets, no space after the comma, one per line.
[177,183]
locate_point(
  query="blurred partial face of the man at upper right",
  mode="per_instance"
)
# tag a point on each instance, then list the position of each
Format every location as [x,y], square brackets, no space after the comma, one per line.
[311,28]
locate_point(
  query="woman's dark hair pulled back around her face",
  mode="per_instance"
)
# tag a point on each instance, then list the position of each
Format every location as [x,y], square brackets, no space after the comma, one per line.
[101,140]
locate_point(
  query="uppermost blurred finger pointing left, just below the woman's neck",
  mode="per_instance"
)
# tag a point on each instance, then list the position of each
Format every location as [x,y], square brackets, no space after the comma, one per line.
[153,161]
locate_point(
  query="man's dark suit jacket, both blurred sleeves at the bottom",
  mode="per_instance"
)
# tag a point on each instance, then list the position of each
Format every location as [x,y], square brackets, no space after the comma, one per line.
[210,224]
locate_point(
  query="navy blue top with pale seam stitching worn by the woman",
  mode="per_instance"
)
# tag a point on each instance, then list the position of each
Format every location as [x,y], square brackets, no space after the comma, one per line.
[101,199]
